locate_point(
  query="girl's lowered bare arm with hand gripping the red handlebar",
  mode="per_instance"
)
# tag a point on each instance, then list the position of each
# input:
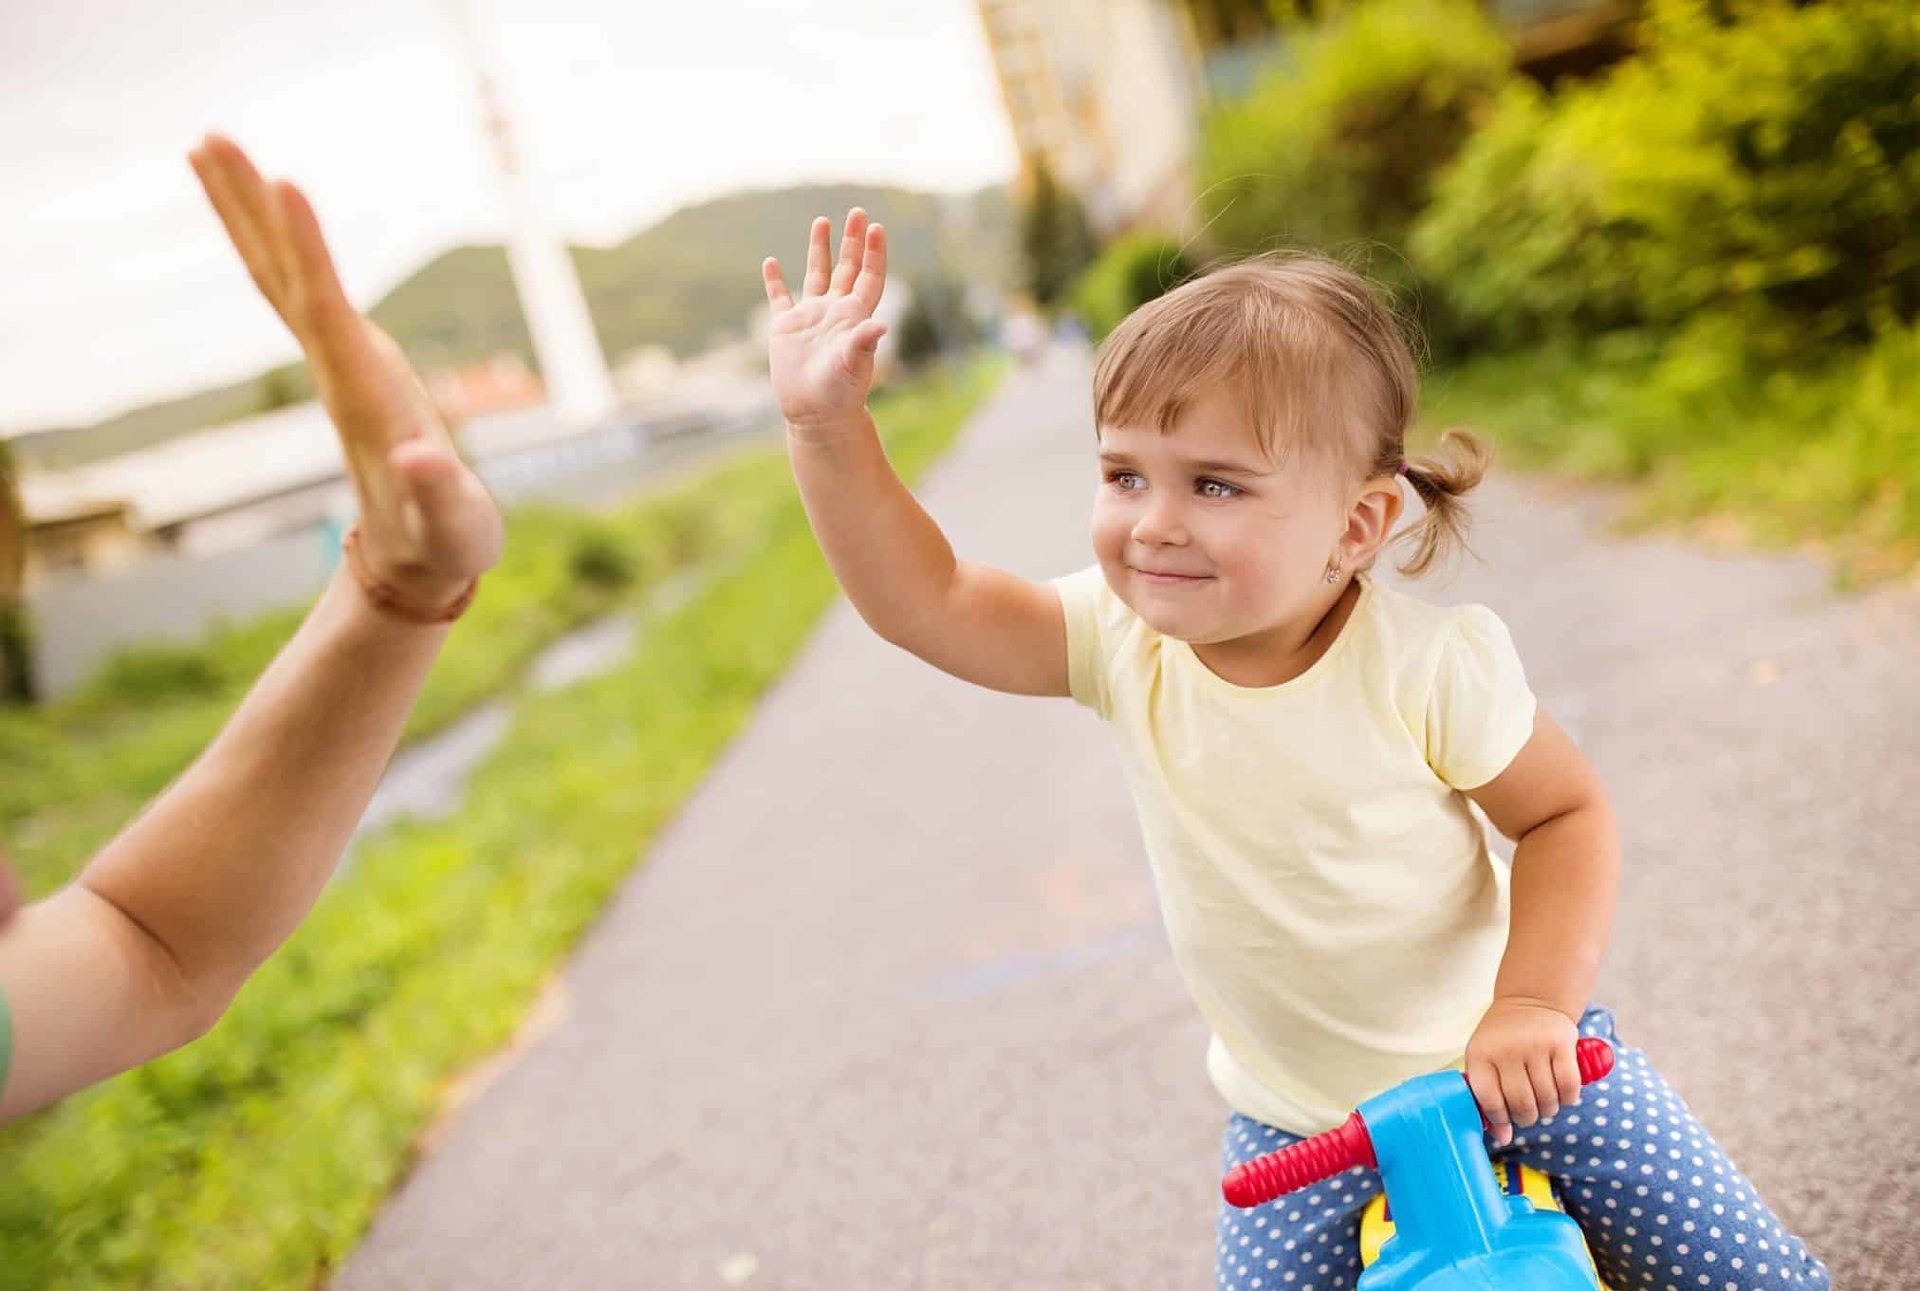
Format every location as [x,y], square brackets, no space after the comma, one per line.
[1566,875]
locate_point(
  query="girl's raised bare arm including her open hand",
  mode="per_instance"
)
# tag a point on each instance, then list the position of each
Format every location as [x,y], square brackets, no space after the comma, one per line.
[982,625]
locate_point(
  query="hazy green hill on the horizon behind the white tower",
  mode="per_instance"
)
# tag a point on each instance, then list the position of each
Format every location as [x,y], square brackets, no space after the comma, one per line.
[679,283]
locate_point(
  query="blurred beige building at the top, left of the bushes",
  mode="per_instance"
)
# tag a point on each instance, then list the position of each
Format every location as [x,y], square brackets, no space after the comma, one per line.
[1105,95]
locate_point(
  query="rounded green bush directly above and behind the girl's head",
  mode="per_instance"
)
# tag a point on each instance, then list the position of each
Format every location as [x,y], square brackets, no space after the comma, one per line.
[1343,141]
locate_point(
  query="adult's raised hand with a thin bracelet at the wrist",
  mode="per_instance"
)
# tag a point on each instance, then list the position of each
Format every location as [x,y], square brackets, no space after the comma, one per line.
[427,525]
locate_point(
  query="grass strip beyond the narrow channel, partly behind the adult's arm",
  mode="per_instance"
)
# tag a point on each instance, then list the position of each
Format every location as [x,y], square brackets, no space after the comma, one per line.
[76,771]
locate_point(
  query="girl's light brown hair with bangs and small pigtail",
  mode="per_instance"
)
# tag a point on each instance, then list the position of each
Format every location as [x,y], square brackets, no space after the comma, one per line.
[1322,370]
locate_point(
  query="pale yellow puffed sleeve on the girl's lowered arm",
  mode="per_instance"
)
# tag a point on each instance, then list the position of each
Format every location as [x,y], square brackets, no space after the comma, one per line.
[1479,712]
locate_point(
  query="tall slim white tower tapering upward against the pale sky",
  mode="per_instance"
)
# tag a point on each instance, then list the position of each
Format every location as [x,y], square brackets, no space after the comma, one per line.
[556,308]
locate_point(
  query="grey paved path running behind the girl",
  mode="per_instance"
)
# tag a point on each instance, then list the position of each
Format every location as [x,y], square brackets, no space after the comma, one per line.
[890,1008]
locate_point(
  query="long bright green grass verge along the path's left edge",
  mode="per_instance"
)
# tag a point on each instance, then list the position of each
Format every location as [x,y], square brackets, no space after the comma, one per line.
[256,1157]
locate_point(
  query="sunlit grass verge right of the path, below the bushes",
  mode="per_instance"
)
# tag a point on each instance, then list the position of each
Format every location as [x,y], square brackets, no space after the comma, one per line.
[1825,456]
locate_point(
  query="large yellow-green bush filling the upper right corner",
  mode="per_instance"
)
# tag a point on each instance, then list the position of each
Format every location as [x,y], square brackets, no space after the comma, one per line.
[1767,168]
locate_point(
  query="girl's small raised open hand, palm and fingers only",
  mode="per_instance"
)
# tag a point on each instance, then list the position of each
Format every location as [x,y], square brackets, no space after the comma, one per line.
[821,347]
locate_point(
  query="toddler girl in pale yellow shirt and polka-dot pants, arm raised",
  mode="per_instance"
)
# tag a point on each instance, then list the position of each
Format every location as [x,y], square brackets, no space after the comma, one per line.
[1305,748]
